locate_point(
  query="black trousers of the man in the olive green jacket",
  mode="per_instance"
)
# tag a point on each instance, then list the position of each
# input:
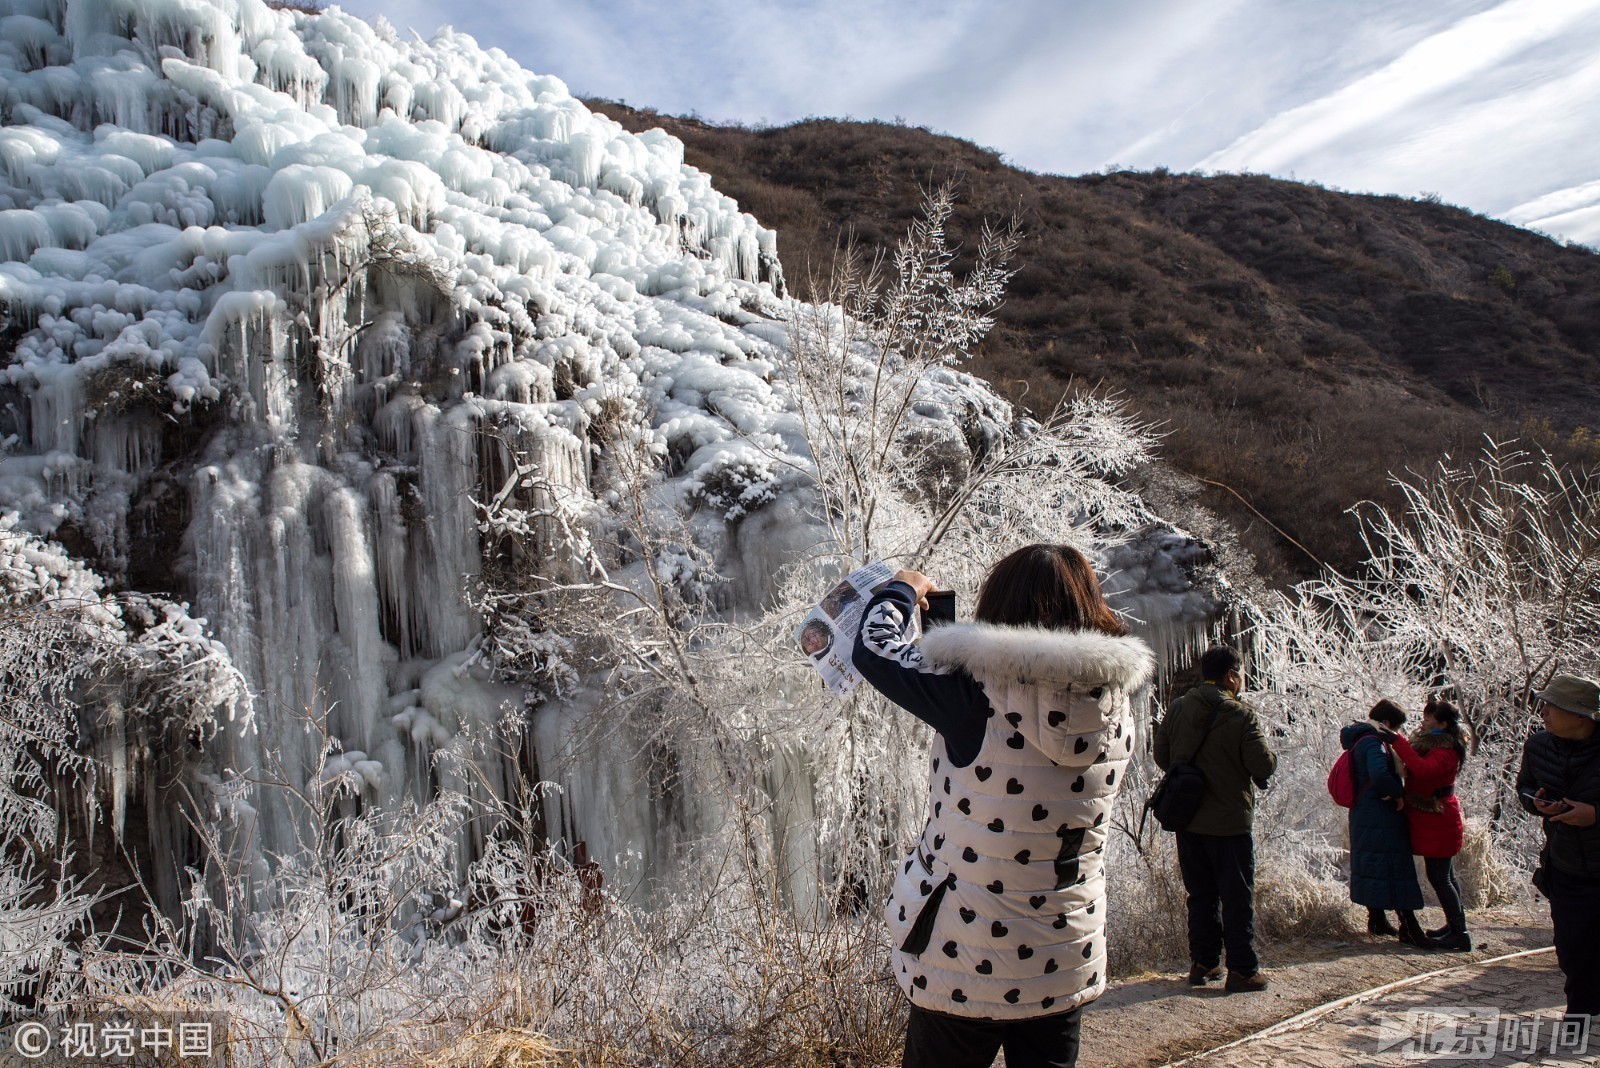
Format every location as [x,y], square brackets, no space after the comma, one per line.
[1220,874]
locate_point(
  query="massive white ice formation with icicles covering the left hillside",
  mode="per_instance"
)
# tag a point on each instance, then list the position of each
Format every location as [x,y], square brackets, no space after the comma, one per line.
[279,289]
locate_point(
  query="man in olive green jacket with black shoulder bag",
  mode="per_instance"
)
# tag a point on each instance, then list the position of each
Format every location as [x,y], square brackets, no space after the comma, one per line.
[1218,733]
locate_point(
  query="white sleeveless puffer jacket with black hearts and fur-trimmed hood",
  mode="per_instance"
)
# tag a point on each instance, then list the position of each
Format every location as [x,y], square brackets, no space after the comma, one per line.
[1017,839]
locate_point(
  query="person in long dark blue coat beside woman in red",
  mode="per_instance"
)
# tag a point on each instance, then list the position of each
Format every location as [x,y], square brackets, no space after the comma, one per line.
[1383,875]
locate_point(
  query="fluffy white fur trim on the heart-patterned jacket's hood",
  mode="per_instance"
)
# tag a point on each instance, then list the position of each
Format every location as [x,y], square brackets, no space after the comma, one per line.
[1034,655]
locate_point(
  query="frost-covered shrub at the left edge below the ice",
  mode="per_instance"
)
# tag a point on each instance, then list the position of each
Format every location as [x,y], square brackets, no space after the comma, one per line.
[79,666]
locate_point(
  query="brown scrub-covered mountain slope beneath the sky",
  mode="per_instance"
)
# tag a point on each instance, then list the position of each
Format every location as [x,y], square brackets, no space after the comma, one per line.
[1295,343]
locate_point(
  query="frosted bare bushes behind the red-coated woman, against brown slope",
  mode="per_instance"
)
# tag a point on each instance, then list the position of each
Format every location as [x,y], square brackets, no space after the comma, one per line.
[1482,584]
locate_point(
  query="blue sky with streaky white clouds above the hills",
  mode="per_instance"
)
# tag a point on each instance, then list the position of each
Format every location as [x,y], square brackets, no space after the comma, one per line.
[1494,105]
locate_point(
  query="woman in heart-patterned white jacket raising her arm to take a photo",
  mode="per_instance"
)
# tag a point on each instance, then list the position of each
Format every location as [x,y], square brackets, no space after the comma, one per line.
[999,912]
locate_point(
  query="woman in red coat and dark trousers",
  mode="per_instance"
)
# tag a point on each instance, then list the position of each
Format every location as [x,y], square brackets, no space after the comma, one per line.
[1433,759]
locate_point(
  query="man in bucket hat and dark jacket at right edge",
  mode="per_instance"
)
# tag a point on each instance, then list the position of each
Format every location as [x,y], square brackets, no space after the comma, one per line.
[1561,781]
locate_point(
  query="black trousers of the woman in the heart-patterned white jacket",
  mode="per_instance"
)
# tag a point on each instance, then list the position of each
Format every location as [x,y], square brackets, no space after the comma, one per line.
[935,1040]
